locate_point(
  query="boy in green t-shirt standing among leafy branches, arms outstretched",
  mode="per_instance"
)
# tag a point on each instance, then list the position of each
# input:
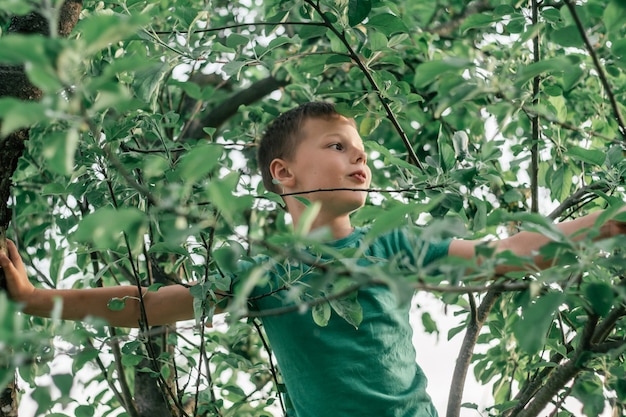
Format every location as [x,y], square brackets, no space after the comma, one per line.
[338,369]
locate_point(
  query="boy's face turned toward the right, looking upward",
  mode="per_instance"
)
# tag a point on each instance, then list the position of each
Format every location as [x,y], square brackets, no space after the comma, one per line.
[331,155]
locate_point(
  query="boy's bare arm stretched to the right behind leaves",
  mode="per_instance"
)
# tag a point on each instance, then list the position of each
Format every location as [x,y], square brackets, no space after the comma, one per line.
[529,243]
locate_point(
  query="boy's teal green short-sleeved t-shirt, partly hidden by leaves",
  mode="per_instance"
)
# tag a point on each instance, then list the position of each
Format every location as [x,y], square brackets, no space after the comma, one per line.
[342,371]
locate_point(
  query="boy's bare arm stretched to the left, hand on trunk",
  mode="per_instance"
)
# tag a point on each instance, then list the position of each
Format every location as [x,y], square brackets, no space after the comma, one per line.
[167,305]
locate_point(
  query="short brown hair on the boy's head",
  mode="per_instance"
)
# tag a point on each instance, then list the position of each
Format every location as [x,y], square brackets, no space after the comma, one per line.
[283,135]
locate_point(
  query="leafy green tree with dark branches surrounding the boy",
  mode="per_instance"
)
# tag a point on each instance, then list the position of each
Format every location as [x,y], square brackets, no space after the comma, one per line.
[139,168]
